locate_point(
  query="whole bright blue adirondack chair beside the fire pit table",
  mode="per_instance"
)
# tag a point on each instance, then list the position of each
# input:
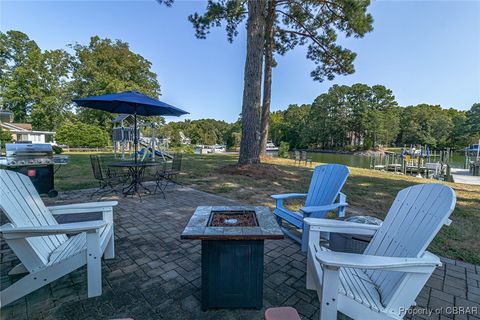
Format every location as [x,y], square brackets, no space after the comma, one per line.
[324,190]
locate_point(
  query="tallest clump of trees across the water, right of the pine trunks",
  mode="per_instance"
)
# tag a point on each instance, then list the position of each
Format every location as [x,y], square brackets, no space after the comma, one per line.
[358,116]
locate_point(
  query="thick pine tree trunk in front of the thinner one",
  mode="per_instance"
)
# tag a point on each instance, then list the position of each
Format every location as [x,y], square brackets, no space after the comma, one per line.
[252,87]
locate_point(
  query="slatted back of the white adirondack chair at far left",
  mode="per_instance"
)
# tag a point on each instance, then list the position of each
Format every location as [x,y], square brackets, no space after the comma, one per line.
[24,208]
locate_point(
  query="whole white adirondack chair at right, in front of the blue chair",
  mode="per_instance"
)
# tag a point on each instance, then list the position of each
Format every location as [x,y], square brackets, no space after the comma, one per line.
[383,282]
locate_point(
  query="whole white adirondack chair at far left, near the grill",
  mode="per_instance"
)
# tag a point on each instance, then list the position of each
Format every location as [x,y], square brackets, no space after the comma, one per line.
[41,244]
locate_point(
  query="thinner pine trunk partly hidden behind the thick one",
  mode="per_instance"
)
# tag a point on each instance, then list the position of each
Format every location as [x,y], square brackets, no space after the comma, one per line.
[267,80]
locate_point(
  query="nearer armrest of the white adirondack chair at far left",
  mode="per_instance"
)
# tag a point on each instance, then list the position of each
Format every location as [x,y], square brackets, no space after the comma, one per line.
[9,231]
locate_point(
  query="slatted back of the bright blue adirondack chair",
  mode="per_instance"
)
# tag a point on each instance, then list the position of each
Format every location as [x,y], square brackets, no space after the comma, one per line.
[327,181]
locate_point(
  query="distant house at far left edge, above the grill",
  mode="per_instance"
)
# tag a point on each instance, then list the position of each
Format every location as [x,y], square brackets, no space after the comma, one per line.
[22,132]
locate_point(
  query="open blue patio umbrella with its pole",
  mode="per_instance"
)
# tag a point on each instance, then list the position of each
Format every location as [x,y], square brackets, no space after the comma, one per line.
[130,102]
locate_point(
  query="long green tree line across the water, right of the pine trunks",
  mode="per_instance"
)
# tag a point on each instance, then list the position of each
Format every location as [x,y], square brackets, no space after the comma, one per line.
[361,117]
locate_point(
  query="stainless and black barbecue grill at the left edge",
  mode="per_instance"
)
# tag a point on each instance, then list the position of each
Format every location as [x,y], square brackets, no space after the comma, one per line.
[36,161]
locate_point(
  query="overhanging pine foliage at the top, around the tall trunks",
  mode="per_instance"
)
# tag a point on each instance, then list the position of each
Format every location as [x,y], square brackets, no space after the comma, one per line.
[313,23]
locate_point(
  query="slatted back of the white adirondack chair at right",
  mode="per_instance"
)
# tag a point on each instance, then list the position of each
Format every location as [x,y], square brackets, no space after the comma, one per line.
[415,217]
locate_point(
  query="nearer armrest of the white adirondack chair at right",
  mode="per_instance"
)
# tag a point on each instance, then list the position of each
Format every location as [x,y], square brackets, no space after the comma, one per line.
[362,261]
